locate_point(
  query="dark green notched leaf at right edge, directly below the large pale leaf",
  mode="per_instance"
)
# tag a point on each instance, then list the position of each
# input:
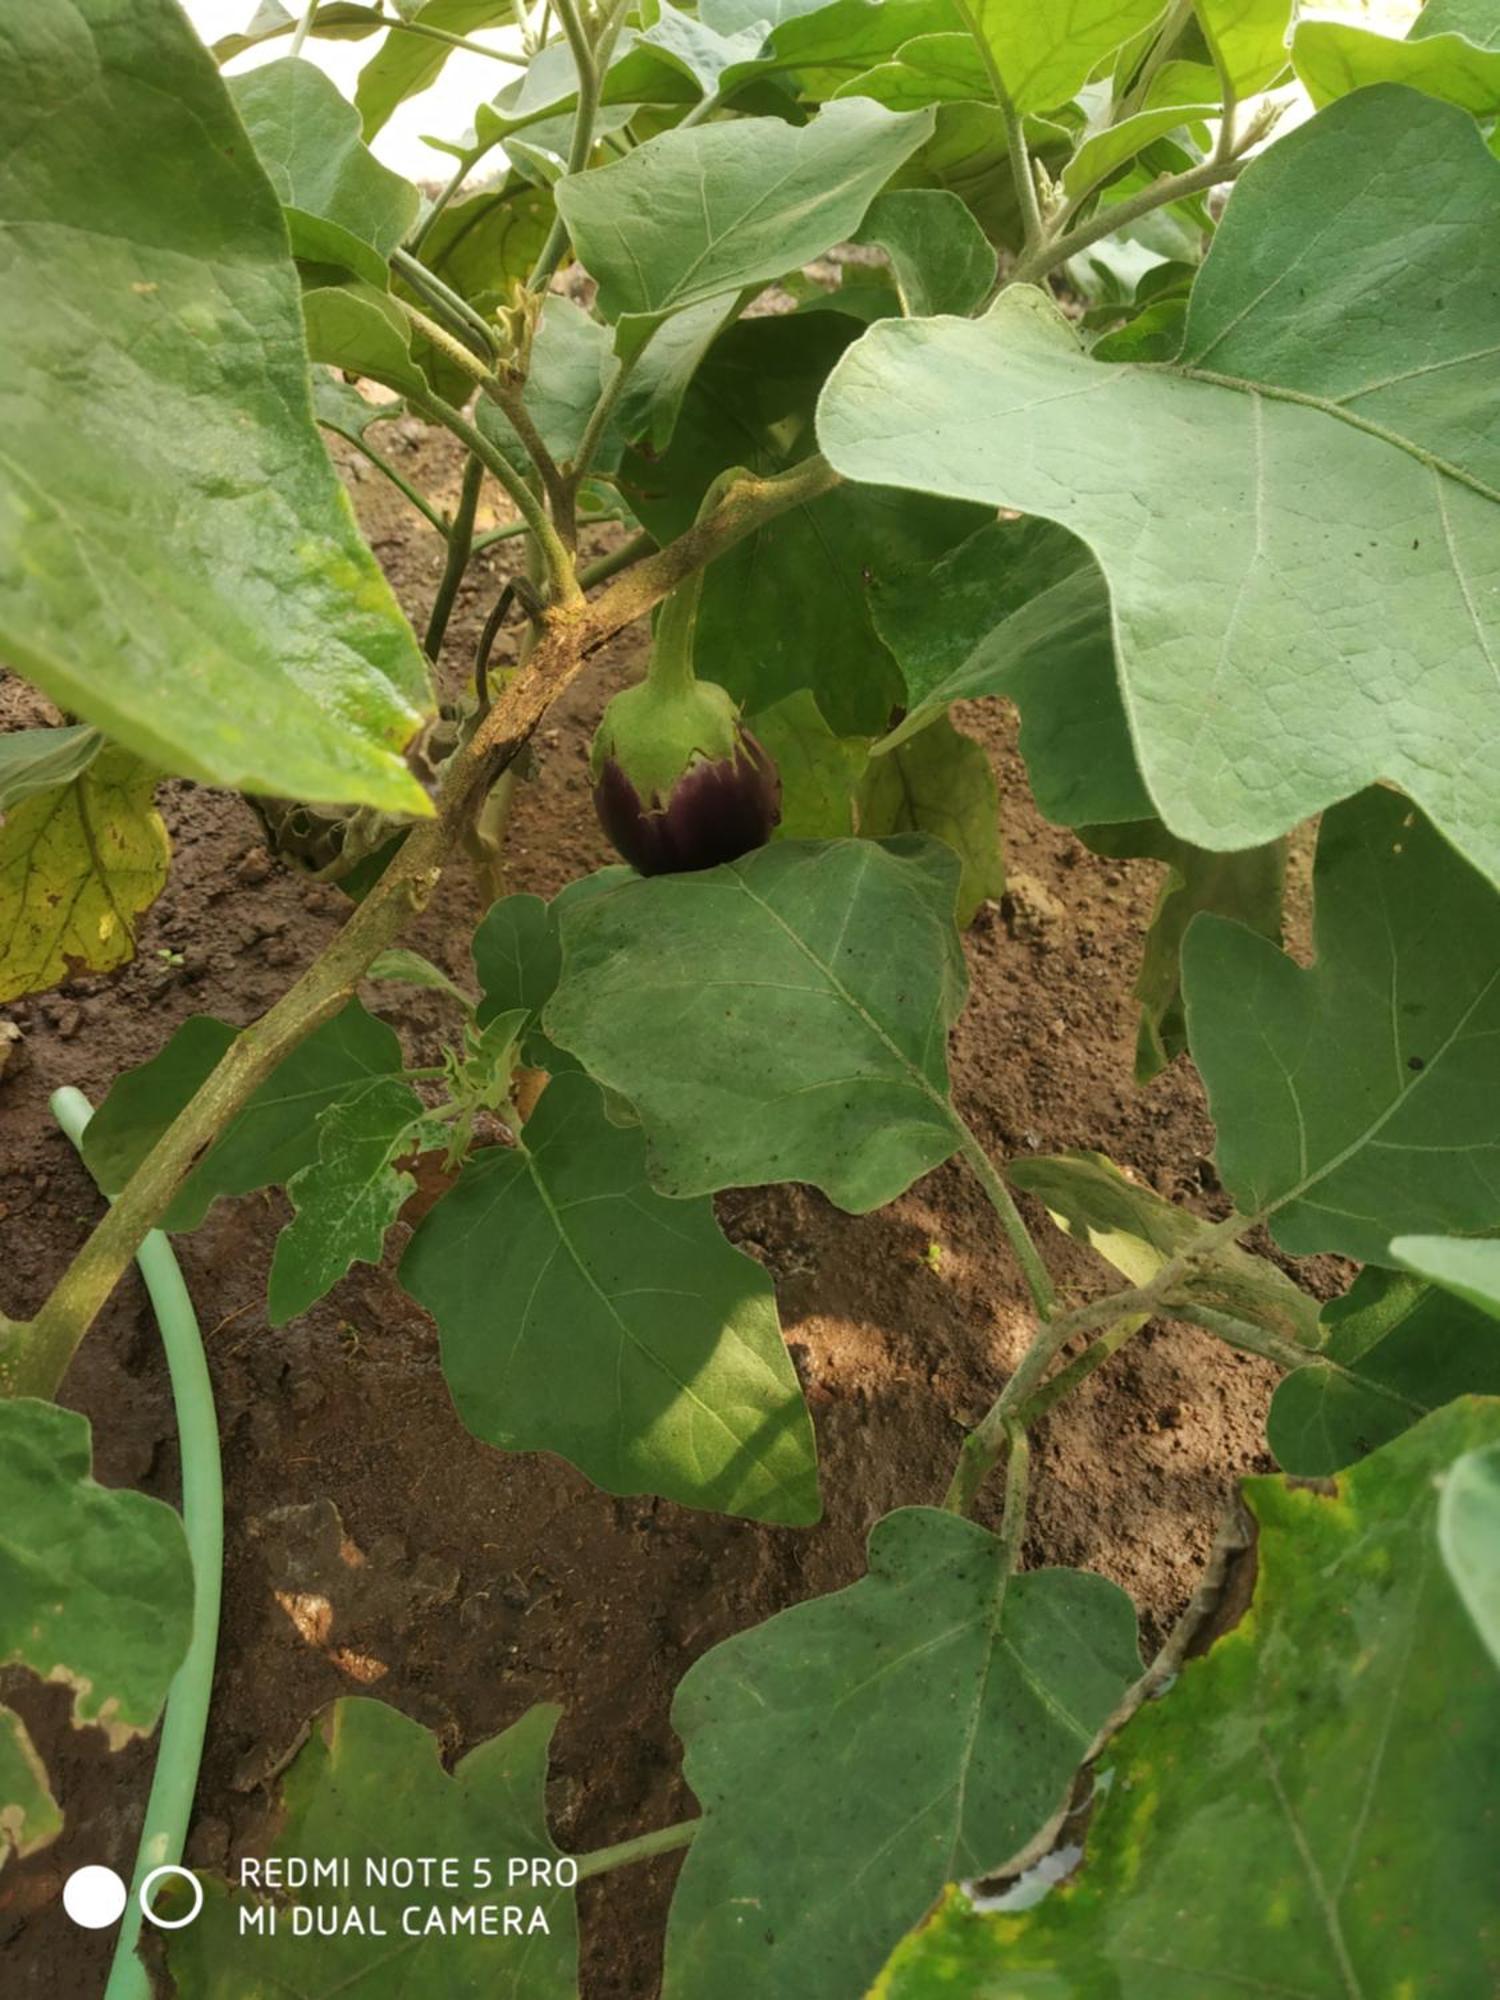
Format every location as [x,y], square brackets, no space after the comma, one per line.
[1363,1097]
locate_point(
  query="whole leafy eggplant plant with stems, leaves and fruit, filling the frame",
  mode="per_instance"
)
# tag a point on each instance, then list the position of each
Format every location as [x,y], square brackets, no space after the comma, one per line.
[1161,403]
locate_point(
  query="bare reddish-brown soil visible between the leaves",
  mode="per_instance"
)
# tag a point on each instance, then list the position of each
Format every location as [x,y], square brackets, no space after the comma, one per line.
[499,1581]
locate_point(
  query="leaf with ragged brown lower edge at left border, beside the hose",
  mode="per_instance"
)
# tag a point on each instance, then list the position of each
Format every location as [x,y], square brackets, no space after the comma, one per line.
[79,1567]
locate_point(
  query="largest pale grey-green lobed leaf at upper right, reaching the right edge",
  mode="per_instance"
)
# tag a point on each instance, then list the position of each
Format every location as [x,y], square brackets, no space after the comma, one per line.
[1269,669]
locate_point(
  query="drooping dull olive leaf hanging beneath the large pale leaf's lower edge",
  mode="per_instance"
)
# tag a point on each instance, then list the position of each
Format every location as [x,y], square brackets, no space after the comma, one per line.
[1245,887]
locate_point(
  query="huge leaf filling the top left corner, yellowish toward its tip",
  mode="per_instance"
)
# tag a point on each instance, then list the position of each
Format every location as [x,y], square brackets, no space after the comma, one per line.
[181,565]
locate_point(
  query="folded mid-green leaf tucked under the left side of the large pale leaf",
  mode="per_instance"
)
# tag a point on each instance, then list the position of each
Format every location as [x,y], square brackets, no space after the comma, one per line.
[1021,609]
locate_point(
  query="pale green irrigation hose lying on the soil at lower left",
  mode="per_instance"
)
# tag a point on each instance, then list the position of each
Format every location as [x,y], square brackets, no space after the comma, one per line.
[203,1515]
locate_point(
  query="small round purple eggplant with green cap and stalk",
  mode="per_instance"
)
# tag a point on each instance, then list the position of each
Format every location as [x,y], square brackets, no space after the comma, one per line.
[679,781]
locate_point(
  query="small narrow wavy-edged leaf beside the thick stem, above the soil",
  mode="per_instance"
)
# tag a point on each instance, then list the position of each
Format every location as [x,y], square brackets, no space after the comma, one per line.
[347,1199]
